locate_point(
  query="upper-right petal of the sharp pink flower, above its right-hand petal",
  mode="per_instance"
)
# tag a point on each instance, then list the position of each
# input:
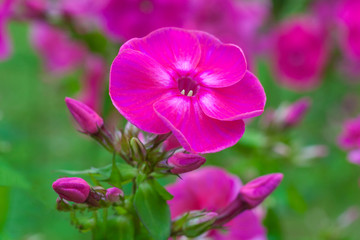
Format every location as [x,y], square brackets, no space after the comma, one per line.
[221,65]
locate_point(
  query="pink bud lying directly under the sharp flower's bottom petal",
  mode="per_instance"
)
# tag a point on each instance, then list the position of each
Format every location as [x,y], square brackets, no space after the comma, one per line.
[182,162]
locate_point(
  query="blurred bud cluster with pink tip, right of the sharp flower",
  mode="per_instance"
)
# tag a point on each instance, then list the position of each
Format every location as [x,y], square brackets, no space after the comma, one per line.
[287,115]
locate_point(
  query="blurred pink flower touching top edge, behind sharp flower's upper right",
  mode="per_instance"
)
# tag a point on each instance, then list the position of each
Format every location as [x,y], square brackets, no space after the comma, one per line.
[232,21]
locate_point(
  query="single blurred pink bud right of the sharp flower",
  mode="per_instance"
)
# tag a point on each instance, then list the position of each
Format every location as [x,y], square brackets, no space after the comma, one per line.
[296,112]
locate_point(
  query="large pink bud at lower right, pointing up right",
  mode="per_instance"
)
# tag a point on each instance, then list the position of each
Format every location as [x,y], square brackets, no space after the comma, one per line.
[255,191]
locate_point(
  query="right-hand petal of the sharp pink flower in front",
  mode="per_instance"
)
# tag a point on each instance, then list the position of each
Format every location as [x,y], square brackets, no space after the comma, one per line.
[242,100]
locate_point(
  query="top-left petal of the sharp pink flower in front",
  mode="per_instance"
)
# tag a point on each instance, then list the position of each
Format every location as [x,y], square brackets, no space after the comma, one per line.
[173,48]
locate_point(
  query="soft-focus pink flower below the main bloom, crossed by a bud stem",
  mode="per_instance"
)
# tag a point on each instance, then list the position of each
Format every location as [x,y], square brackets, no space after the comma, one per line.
[192,193]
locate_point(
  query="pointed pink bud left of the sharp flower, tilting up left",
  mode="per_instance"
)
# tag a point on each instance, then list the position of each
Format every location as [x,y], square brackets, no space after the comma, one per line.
[88,119]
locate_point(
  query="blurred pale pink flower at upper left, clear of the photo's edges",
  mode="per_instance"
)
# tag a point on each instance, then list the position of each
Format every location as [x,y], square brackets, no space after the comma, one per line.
[60,53]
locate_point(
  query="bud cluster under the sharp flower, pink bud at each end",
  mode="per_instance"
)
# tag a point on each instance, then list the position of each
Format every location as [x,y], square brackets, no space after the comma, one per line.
[131,144]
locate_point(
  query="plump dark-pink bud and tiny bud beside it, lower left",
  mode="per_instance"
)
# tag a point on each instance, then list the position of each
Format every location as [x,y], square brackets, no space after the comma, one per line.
[77,190]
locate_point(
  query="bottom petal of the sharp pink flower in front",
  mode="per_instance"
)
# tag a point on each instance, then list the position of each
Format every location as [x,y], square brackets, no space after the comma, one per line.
[195,131]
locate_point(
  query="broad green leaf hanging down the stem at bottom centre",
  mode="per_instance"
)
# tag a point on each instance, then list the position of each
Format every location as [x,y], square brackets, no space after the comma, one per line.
[153,211]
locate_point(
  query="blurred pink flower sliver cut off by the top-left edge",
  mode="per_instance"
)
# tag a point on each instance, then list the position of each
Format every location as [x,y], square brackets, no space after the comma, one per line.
[5,42]
